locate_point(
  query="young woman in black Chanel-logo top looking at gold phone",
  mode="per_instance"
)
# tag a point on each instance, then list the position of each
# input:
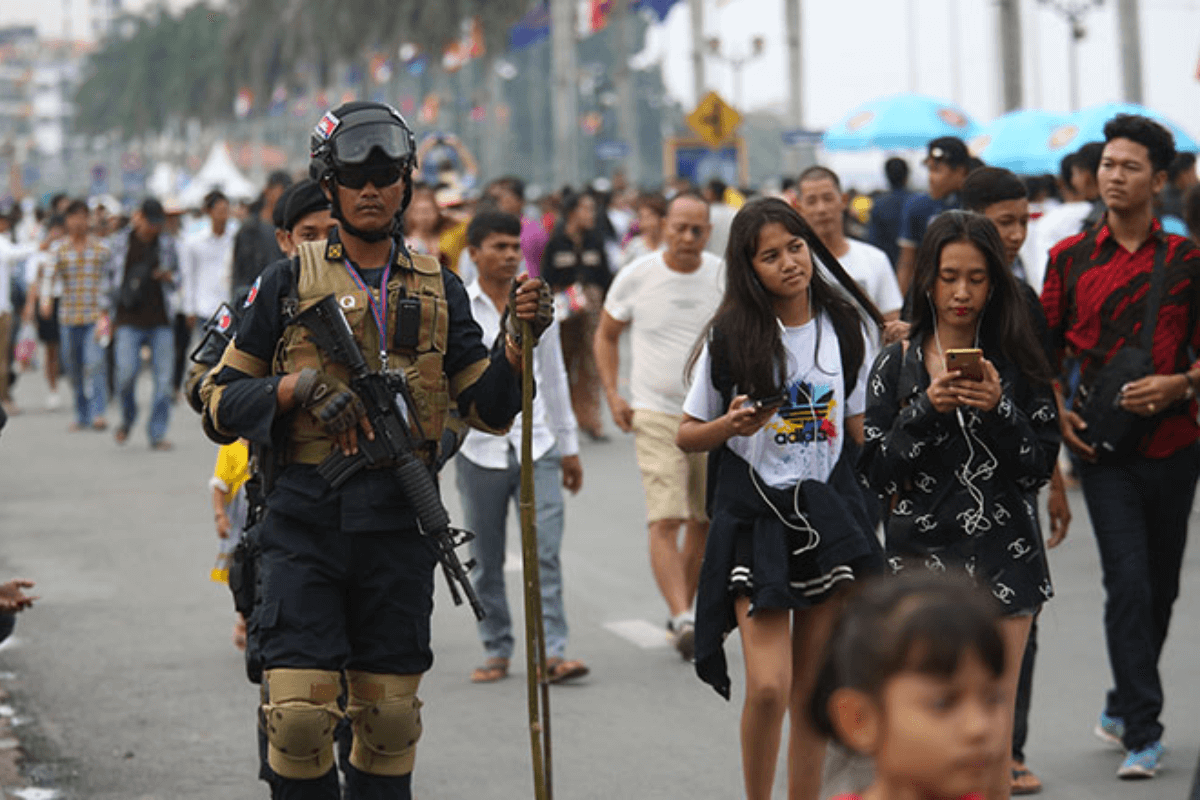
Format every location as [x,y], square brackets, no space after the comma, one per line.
[961,454]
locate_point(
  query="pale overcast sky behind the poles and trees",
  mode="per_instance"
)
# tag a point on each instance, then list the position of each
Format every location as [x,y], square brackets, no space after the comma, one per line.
[862,50]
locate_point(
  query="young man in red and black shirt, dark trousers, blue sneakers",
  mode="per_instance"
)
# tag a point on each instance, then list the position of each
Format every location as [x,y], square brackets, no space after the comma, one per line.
[1095,298]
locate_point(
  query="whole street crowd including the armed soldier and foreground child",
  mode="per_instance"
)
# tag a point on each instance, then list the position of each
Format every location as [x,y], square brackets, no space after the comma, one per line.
[817,399]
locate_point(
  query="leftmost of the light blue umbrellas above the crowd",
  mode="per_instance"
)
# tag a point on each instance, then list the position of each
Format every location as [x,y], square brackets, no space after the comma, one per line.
[899,123]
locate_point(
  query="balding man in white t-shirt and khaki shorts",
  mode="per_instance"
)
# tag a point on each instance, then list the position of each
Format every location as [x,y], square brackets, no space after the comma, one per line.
[668,298]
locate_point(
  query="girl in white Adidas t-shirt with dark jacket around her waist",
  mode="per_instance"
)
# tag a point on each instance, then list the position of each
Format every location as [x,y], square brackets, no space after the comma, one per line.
[790,525]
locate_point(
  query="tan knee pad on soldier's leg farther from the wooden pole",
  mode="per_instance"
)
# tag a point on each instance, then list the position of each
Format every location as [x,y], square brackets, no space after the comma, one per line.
[299,719]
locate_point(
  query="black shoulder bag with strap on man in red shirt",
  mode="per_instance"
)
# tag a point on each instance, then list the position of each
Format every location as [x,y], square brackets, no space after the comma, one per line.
[1113,431]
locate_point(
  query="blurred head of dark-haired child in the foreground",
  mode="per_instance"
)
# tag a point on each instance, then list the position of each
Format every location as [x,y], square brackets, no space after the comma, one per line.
[913,678]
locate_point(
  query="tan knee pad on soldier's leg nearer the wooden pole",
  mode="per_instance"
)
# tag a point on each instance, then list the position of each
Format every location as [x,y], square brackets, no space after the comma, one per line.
[386,717]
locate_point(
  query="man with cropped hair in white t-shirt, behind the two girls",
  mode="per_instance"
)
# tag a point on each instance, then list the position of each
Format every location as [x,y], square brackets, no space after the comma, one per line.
[823,204]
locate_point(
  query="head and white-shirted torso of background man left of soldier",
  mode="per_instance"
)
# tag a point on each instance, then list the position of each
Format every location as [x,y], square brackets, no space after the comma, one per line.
[206,264]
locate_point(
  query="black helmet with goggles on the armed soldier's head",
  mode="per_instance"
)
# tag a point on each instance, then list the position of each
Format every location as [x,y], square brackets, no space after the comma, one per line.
[351,135]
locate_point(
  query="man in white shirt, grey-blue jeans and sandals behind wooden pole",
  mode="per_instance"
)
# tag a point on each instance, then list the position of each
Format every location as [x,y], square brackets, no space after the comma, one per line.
[489,467]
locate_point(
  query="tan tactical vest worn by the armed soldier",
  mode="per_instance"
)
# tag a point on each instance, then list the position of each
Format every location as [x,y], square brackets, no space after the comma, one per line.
[322,272]
